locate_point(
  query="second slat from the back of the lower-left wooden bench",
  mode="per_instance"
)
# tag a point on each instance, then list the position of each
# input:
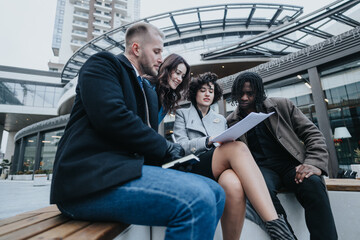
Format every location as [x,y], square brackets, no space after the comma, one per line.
[27,222]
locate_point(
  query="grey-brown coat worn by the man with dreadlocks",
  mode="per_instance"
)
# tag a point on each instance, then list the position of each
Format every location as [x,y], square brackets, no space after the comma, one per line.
[294,131]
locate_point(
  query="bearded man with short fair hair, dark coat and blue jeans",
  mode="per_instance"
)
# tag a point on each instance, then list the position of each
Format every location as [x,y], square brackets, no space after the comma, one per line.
[107,163]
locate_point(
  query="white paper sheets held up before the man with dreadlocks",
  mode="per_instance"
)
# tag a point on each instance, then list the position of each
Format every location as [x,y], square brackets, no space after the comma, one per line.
[241,127]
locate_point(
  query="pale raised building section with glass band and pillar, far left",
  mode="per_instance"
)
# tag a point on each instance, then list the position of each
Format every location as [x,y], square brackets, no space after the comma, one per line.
[26,97]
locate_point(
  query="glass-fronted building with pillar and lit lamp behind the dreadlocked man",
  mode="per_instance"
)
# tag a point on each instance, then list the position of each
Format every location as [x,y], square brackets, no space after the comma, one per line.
[323,81]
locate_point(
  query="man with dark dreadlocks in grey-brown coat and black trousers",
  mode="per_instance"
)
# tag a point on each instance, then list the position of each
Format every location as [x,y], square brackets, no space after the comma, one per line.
[289,150]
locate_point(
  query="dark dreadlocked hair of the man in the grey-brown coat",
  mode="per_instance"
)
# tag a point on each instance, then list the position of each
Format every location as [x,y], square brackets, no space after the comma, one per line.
[256,84]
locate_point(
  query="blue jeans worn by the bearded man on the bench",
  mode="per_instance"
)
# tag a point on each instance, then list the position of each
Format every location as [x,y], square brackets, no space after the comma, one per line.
[189,205]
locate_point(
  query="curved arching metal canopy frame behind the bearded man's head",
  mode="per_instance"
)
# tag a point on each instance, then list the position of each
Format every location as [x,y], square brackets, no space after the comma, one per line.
[230,22]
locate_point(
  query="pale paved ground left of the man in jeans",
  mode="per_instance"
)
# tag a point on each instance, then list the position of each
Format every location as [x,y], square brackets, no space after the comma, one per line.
[21,196]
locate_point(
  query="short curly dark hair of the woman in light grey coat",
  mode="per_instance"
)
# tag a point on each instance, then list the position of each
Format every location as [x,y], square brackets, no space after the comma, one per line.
[199,81]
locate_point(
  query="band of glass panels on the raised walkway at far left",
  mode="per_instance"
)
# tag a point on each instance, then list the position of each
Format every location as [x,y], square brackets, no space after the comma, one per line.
[34,95]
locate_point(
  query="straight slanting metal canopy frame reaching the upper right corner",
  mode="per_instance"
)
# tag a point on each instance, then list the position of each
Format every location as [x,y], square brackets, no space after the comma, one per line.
[313,28]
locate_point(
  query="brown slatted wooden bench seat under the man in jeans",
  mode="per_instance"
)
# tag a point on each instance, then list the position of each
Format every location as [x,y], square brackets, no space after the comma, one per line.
[49,223]
